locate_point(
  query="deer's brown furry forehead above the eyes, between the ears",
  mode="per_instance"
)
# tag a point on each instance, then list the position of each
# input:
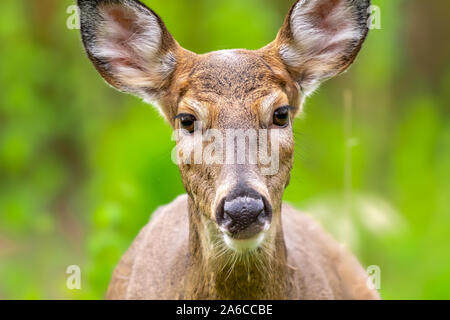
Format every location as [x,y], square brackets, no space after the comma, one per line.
[233,83]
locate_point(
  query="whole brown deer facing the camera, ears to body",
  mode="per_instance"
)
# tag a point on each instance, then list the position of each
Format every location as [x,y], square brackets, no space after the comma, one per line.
[230,237]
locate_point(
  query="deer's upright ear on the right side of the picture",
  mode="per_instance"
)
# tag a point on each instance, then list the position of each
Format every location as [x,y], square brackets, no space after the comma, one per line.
[321,38]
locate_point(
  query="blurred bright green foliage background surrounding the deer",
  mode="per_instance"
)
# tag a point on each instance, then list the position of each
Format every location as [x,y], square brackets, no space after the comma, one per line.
[82,167]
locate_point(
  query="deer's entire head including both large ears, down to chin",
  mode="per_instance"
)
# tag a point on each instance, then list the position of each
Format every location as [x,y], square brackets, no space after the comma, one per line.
[228,107]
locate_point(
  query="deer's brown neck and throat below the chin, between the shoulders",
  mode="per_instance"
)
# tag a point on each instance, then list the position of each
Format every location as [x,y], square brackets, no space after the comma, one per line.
[216,272]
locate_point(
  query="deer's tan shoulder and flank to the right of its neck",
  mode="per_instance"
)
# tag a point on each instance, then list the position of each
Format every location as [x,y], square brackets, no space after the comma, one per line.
[323,267]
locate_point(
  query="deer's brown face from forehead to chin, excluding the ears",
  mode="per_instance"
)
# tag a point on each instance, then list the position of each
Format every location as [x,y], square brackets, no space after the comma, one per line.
[243,100]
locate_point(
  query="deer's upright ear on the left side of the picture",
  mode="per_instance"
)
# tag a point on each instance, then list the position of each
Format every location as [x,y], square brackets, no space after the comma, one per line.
[129,45]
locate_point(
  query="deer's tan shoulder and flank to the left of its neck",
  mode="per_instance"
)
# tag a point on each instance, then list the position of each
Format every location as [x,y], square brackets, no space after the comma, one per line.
[155,264]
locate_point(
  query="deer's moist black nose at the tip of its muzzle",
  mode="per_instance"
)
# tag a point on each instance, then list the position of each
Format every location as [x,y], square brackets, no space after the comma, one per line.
[244,215]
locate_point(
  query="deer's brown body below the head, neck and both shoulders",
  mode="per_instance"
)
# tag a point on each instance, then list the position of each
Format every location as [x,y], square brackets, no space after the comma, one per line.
[308,265]
